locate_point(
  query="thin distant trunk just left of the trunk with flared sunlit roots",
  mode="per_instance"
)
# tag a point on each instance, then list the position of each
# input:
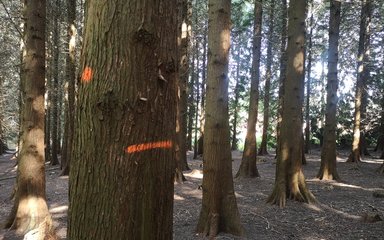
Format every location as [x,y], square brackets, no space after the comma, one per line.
[263,150]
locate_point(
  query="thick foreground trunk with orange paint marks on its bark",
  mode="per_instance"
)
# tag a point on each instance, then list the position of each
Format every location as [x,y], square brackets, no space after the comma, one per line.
[122,169]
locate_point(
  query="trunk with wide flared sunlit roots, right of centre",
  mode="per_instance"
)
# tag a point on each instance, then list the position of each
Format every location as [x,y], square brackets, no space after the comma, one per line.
[290,180]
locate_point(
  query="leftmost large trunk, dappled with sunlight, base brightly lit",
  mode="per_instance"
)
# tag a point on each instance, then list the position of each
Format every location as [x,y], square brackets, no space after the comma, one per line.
[30,209]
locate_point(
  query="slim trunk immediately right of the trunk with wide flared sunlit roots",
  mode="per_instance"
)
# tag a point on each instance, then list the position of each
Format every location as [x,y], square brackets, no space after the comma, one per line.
[328,169]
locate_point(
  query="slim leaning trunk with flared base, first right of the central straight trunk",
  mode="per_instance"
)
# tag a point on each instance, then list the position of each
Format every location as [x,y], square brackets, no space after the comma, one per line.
[248,166]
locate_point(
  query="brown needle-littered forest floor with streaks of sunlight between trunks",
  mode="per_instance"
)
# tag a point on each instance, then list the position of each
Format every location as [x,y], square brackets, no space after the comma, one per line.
[341,211]
